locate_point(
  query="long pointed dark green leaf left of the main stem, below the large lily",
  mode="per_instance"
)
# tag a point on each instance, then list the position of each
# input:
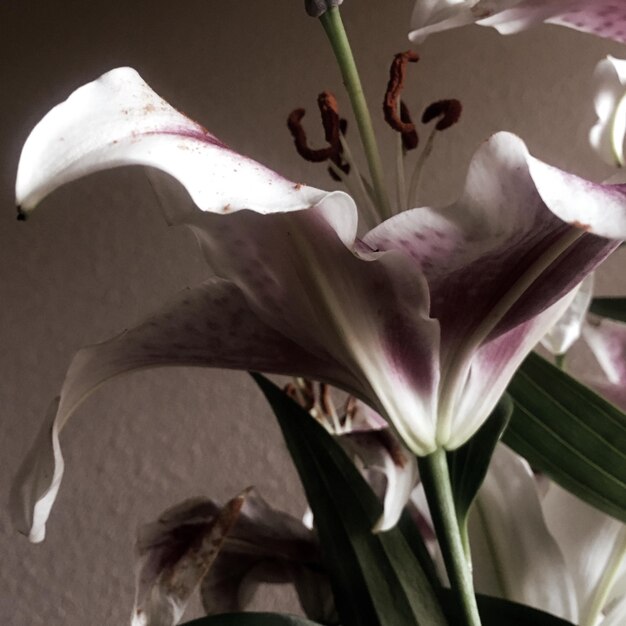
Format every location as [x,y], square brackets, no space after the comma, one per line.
[376,578]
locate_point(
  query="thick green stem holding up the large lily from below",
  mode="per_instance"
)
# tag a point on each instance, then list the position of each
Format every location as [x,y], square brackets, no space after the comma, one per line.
[436,480]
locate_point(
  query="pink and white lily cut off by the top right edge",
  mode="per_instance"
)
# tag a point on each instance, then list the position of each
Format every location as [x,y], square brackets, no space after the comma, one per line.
[606,18]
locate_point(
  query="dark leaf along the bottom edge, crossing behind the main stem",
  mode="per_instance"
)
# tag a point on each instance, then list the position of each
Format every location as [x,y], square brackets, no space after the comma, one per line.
[498,612]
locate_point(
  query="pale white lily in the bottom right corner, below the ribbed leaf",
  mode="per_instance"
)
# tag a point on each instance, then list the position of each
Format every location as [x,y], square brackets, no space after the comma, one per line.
[546,548]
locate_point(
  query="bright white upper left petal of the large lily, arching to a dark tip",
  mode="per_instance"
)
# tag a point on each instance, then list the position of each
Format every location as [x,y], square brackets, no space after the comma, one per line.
[118,120]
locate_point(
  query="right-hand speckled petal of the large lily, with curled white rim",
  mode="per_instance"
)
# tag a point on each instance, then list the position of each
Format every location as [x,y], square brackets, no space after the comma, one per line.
[498,257]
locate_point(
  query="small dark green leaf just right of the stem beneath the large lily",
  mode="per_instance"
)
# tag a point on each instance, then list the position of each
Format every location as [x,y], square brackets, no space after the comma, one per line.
[468,464]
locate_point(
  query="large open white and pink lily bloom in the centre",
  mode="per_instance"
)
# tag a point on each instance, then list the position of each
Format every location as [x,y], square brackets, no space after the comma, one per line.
[425,318]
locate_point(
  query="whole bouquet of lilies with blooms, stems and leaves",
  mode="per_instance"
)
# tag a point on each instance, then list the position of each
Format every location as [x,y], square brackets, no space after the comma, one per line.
[454,477]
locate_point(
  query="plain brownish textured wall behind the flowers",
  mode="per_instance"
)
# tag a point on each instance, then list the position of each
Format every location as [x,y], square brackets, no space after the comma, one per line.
[97,255]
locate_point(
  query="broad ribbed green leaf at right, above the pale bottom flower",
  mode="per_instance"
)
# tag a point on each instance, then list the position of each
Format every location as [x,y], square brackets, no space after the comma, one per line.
[570,433]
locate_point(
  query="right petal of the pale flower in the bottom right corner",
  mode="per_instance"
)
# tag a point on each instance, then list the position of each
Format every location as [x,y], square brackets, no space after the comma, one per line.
[593,544]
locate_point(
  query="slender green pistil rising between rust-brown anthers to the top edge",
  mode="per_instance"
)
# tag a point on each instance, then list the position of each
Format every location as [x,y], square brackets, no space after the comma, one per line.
[333,25]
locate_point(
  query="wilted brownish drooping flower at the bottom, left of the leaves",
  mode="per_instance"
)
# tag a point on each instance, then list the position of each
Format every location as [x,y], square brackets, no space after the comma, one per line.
[227,552]
